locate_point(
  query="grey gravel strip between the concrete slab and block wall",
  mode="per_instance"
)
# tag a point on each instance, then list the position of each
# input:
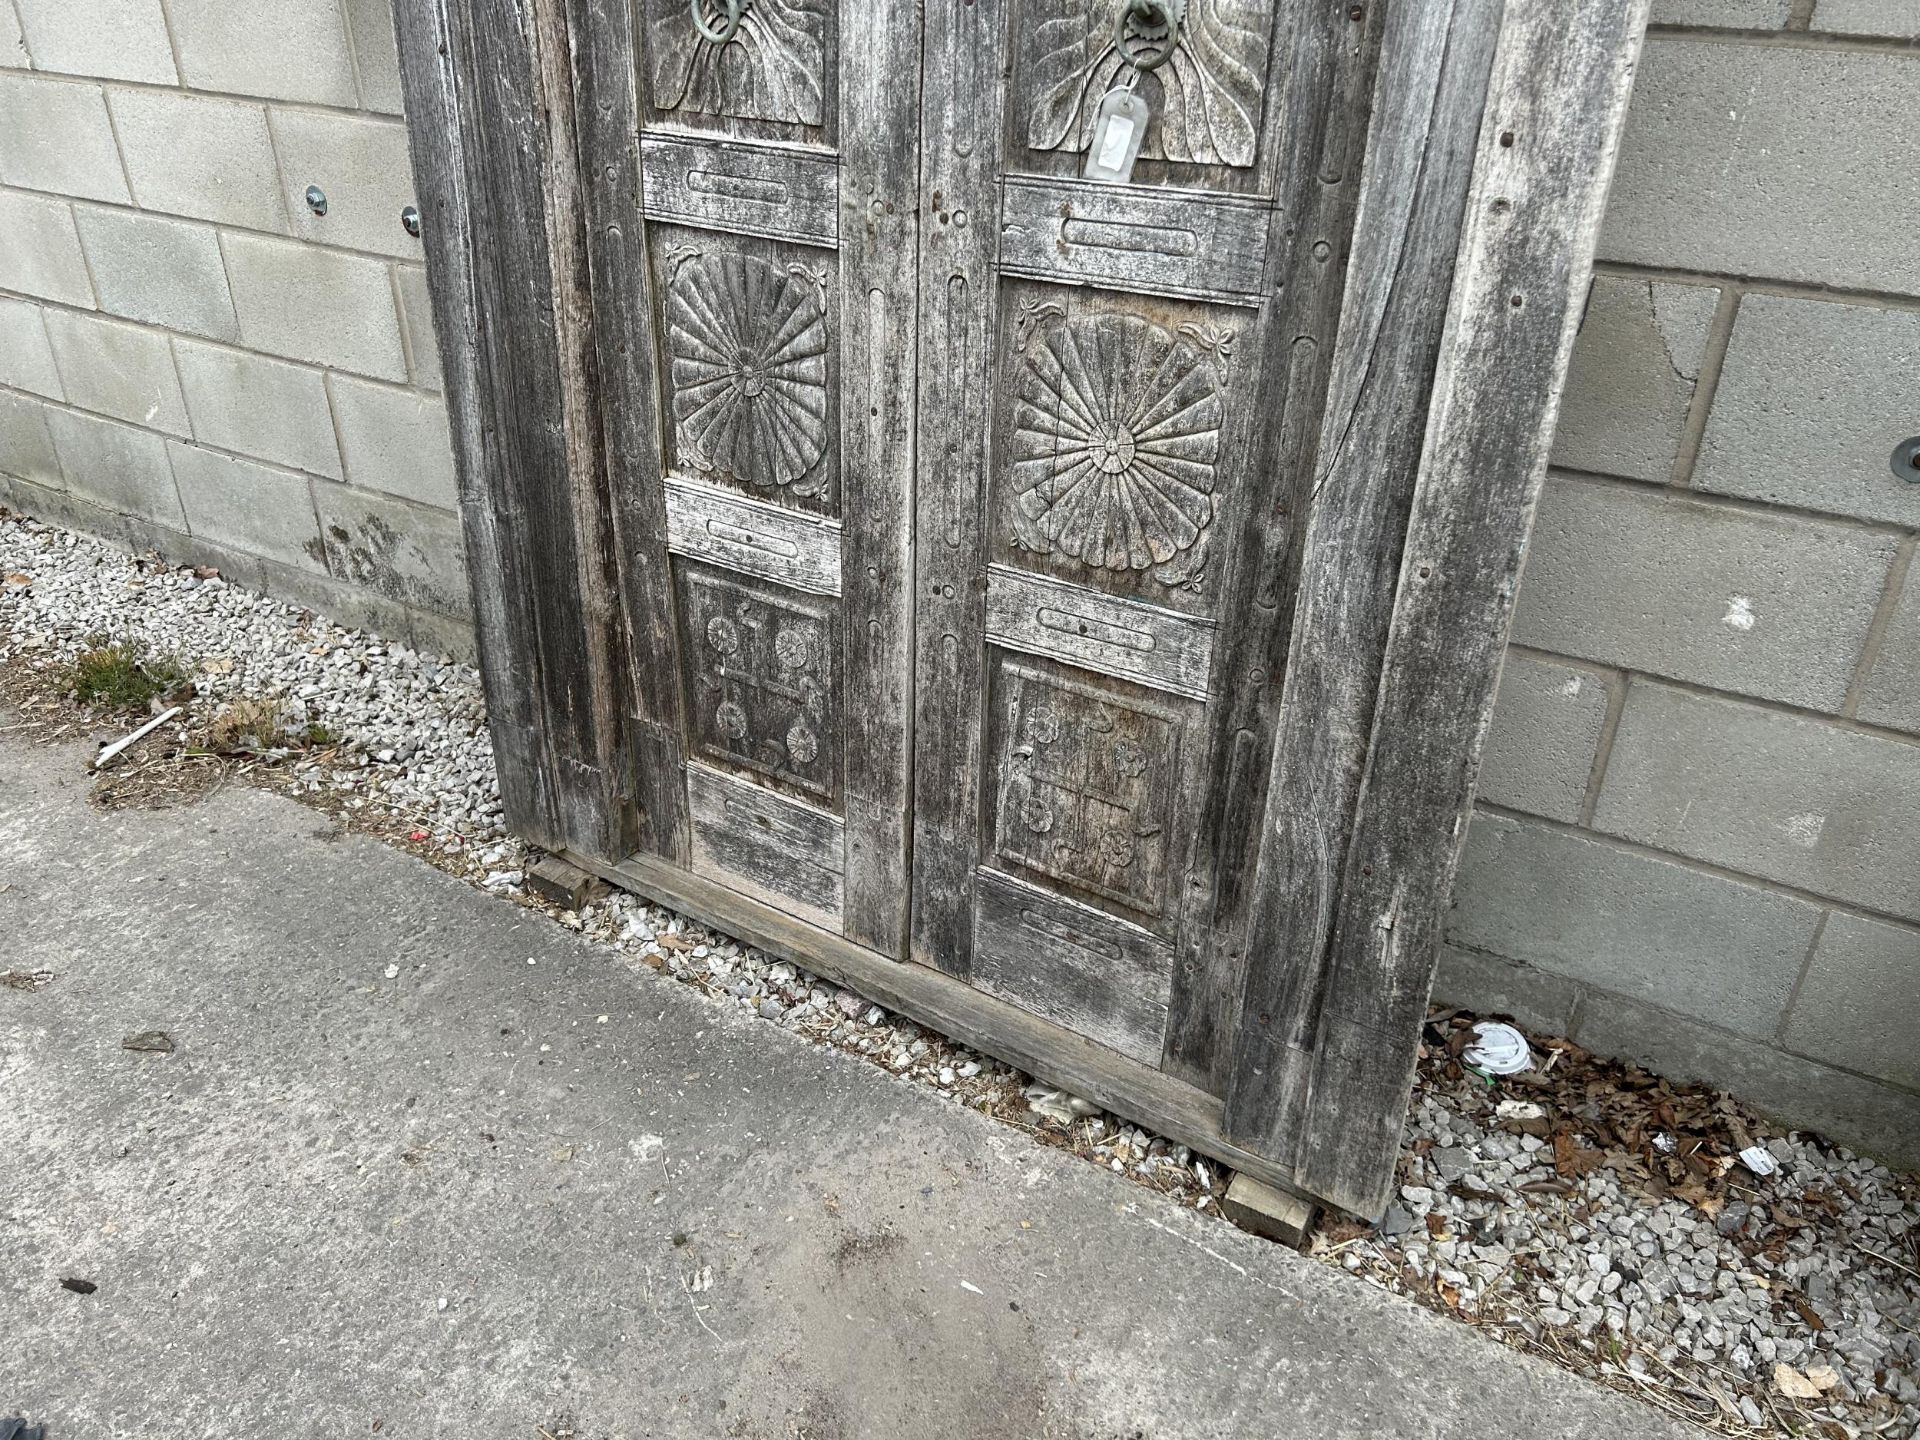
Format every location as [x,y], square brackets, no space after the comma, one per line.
[1581,1211]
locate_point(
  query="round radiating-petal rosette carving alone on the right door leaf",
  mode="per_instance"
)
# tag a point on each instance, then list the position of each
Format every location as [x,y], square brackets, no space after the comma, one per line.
[1116,435]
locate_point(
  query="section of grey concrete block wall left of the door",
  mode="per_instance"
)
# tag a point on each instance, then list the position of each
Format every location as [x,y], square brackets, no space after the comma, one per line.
[191,358]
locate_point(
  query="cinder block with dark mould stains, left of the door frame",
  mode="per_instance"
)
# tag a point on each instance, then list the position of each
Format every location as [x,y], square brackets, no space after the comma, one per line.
[396,550]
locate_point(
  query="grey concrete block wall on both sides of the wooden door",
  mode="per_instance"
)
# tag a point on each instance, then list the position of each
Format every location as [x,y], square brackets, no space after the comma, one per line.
[1696,840]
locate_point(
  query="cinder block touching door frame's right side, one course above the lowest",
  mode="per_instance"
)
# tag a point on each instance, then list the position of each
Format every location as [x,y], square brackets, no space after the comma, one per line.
[1631,923]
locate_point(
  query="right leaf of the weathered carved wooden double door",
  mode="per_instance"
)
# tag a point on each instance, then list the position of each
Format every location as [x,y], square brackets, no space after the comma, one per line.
[1128,379]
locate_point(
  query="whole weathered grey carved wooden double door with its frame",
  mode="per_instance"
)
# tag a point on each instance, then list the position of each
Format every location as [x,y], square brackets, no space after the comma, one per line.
[1017,504]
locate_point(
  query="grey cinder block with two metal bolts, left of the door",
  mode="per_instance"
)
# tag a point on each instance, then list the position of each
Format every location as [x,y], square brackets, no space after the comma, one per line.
[364,168]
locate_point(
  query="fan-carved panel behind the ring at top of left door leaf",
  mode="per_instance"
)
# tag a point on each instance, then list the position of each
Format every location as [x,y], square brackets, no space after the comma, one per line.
[773,68]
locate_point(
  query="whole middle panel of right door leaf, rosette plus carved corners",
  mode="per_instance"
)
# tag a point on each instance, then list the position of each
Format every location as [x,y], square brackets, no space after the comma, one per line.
[1113,458]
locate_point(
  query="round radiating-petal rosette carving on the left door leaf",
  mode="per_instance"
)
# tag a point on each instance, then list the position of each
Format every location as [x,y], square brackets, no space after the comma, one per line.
[750,372]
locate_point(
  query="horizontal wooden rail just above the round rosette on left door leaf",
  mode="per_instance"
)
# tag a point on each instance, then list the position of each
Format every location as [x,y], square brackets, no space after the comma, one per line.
[784,193]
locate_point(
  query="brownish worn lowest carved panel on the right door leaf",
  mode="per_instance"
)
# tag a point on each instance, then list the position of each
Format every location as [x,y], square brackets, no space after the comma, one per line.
[1088,786]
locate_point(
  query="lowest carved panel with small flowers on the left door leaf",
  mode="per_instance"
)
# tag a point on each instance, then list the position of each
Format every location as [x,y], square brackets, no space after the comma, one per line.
[761,679]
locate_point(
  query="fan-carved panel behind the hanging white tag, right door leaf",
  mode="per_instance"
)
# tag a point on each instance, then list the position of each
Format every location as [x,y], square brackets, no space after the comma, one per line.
[1207,99]
